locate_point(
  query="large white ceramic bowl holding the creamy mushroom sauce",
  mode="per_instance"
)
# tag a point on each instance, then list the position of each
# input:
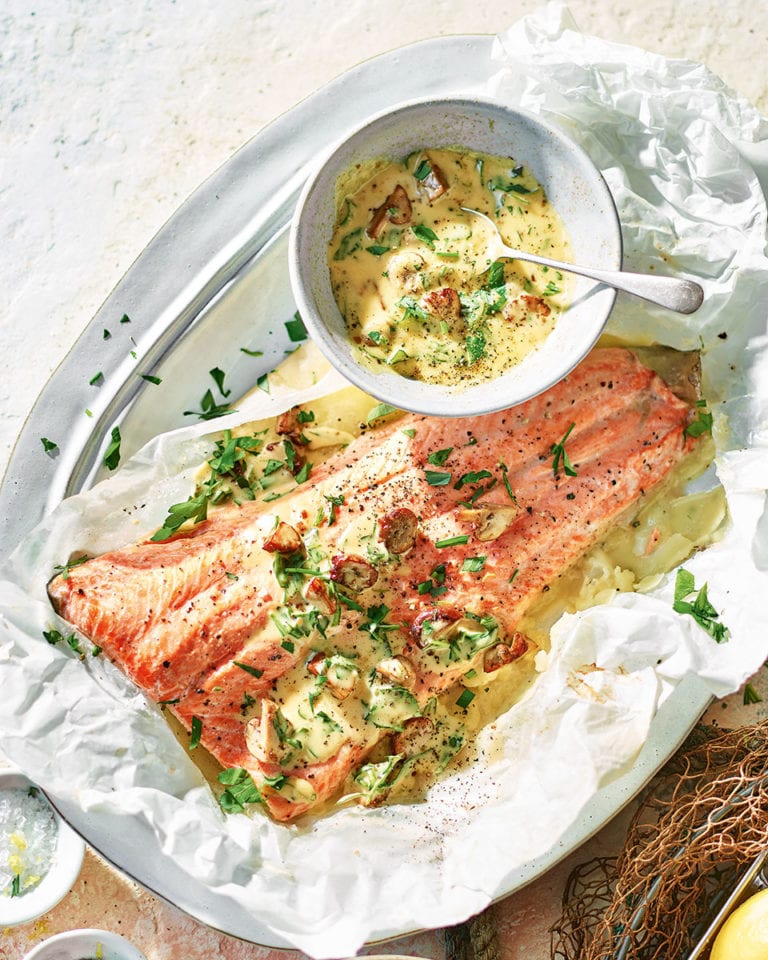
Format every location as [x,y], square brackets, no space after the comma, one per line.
[573,185]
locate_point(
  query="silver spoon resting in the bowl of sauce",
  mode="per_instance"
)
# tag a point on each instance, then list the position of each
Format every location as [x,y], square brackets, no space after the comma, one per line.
[682,296]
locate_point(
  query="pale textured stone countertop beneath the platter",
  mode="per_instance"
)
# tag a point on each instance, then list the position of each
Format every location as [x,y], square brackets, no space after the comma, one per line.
[110,116]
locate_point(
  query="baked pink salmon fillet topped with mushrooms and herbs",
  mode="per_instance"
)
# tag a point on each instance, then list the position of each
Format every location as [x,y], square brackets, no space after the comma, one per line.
[294,637]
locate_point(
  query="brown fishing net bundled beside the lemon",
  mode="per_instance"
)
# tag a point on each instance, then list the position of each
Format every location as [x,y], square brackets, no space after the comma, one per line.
[700,822]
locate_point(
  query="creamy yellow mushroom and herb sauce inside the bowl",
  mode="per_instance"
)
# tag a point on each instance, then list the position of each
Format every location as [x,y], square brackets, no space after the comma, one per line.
[412,278]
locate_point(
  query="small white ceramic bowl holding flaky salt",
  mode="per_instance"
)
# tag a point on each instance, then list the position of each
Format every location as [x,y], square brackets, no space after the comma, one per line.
[58,881]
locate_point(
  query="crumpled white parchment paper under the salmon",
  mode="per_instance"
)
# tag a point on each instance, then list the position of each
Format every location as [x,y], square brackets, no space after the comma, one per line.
[682,156]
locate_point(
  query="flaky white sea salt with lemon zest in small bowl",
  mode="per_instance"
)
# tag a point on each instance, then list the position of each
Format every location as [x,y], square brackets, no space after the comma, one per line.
[28,834]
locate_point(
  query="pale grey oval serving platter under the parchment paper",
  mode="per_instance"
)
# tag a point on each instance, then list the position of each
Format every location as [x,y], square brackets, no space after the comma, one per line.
[188,304]
